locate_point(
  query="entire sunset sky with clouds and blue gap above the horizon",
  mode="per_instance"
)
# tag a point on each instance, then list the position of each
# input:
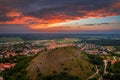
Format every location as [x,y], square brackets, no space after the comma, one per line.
[64,16]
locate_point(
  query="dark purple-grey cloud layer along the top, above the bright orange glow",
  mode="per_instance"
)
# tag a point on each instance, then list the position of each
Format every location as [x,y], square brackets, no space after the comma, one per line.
[47,9]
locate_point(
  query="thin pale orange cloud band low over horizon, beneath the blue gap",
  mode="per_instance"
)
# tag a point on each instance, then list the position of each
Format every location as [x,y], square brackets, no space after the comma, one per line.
[72,29]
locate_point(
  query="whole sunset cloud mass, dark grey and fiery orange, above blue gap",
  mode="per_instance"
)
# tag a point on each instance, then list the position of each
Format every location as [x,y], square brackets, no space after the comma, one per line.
[46,13]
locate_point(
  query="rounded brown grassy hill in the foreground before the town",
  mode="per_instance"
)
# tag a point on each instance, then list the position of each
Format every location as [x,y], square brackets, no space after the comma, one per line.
[66,63]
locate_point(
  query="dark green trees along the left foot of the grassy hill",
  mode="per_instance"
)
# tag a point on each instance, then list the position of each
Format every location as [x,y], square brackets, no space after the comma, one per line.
[19,71]
